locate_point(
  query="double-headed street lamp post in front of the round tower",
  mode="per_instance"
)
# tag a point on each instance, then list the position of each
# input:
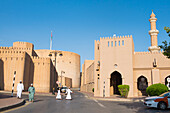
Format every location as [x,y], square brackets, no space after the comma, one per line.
[55,56]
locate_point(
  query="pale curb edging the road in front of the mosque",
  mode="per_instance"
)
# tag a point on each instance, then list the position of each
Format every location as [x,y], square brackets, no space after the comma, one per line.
[119,99]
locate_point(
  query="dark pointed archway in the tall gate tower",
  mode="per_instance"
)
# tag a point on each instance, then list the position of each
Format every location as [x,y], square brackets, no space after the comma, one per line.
[115,80]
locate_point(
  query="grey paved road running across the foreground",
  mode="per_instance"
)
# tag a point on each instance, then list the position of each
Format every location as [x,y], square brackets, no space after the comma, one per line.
[81,104]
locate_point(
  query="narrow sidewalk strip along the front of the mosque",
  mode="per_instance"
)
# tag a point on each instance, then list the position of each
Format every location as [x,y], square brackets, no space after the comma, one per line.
[114,98]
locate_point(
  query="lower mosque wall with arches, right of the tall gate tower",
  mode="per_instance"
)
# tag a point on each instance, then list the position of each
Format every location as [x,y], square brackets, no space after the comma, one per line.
[143,66]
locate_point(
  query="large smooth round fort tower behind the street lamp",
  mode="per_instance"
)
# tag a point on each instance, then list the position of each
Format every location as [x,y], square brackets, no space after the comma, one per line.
[69,62]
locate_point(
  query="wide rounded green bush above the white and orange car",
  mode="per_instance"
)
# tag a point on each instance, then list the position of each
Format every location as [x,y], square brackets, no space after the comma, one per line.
[156,89]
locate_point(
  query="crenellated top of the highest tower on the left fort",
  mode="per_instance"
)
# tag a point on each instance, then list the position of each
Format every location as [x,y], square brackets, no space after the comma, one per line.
[23,45]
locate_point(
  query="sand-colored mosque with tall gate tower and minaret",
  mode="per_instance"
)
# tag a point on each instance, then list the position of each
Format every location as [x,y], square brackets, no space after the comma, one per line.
[115,63]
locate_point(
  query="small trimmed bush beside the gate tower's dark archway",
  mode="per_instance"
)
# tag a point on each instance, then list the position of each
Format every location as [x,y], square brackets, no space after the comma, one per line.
[124,90]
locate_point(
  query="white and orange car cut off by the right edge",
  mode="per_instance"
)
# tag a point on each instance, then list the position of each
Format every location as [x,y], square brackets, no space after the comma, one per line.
[160,102]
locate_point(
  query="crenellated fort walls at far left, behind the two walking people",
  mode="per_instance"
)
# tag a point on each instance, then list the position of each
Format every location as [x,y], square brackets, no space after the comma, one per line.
[29,69]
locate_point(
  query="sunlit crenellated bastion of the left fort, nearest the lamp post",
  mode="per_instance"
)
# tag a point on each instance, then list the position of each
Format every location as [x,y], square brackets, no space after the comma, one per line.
[42,77]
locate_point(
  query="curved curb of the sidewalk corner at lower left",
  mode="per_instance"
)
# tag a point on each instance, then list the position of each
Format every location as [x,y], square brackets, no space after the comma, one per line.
[13,106]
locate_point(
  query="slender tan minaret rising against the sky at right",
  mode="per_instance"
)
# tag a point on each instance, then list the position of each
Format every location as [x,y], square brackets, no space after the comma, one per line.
[153,33]
